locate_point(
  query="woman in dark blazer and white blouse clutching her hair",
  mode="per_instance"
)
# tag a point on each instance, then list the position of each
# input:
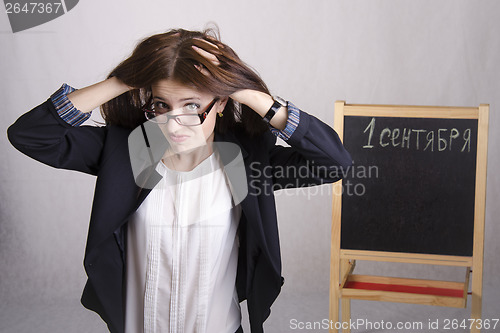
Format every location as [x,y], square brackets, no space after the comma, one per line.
[183,224]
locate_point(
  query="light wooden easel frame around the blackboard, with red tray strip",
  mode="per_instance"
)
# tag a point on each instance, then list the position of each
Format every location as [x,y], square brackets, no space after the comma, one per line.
[343,261]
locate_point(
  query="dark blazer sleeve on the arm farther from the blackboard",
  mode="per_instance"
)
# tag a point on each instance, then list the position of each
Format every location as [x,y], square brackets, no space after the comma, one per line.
[44,136]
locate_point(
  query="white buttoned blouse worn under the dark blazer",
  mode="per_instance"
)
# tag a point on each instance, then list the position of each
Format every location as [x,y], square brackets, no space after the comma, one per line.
[182,252]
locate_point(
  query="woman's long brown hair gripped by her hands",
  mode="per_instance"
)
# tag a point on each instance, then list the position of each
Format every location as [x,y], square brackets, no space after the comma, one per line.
[170,56]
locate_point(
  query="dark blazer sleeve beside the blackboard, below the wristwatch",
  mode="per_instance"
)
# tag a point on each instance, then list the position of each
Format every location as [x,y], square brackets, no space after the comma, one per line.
[316,155]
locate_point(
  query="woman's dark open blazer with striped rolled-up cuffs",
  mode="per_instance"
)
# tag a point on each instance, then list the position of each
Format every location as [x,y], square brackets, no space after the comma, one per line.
[315,150]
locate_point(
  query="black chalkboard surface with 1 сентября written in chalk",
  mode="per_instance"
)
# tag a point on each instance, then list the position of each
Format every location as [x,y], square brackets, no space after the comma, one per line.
[411,188]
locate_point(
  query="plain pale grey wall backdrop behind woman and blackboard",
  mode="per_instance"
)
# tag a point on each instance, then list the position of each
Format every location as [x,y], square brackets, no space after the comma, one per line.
[310,52]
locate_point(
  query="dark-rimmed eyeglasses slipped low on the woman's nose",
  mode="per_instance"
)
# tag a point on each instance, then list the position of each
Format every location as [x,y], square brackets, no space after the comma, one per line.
[186,118]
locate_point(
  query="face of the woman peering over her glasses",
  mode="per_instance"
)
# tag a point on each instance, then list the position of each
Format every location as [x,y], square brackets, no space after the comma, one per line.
[174,99]
